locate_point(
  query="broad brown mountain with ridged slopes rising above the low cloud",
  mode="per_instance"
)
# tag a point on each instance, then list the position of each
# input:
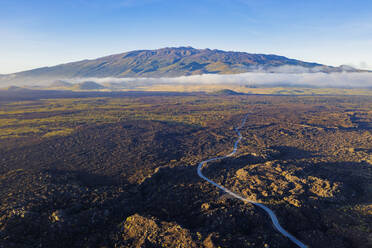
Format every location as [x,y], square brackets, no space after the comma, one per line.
[168,62]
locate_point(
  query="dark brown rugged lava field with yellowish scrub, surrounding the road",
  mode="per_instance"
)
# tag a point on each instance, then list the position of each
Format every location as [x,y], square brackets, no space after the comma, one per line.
[119,170]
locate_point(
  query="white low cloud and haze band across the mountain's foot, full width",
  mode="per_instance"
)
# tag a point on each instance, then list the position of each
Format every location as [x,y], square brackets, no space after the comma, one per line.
[284,76]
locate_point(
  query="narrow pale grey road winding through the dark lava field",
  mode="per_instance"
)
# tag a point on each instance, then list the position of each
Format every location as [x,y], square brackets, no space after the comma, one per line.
[272,215]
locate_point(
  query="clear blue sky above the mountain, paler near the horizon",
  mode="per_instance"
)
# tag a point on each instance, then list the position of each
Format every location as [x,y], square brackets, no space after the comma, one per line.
[42,33]
